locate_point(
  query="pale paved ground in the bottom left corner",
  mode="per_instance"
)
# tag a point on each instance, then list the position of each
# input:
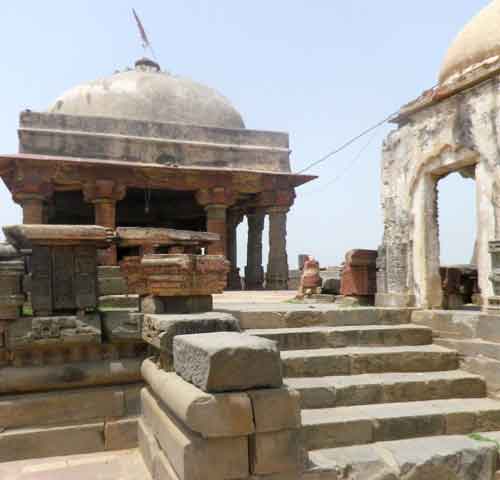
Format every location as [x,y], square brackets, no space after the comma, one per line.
[121,465]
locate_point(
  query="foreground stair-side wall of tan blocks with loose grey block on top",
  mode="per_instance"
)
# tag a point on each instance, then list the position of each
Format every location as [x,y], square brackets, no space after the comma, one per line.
[186,433]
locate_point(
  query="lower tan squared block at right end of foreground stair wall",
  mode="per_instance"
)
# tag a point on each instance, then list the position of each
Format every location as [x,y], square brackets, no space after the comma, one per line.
[275,452]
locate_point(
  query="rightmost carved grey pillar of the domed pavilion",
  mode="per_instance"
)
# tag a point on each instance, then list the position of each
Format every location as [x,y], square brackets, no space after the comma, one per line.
[277,266]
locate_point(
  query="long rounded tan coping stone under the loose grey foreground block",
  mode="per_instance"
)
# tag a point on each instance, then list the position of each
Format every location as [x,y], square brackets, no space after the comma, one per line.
[220,415]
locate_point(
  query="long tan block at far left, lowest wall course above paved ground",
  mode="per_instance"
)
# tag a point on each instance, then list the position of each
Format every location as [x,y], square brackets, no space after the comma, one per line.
[51,442]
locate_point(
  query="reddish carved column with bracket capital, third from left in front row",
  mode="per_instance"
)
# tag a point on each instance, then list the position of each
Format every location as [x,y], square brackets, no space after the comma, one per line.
[216,202]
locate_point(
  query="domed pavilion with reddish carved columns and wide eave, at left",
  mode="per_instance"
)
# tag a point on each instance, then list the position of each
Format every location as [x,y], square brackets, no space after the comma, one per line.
[144,148]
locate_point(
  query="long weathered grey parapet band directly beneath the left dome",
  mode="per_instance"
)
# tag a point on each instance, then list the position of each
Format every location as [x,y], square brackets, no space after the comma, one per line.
[147,142]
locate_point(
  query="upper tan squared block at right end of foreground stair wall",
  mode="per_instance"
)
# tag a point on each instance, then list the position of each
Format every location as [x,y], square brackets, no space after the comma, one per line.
[275,409]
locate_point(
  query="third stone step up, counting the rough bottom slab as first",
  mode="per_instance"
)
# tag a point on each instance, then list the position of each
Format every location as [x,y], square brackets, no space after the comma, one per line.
[343,391]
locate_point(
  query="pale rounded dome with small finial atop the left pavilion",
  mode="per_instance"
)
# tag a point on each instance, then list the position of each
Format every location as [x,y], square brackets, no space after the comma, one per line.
[148,94]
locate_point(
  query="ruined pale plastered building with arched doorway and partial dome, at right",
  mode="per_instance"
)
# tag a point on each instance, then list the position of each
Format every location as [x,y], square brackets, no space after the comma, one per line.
[452,128]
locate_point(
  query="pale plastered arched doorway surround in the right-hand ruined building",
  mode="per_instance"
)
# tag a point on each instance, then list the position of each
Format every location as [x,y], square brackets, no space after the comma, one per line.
[425,252]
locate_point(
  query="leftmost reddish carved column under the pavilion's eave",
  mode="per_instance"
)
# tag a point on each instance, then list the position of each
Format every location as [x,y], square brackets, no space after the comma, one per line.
[32,197]
